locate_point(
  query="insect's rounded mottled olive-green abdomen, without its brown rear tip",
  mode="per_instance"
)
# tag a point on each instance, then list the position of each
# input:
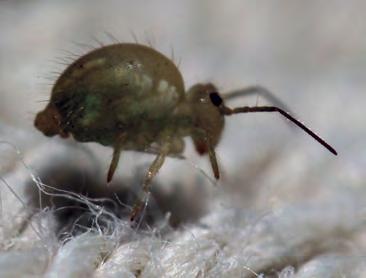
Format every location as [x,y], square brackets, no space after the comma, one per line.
[120,89]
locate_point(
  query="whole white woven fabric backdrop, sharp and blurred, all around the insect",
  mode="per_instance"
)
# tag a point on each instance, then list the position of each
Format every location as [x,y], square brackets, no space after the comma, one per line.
[284,206]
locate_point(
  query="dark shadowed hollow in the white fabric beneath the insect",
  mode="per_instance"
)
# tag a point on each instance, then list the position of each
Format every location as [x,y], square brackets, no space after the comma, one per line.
[80,201]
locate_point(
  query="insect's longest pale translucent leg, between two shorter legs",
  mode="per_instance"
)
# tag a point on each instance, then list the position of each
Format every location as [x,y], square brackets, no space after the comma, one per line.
[151,173]
